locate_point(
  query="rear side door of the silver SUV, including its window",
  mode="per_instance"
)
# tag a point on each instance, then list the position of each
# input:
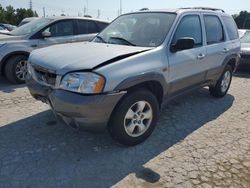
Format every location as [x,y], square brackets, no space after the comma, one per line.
[216,47]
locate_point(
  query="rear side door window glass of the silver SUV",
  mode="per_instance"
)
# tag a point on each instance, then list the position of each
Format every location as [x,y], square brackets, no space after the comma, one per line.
[214,29]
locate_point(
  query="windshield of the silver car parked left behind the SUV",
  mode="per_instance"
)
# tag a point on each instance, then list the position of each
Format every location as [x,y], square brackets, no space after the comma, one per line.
[30,27]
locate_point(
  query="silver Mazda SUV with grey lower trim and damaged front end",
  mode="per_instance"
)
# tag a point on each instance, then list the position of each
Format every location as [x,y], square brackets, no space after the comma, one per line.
[120,80]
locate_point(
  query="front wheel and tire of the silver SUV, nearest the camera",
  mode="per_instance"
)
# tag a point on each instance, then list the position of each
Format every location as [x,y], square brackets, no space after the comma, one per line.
[119,124]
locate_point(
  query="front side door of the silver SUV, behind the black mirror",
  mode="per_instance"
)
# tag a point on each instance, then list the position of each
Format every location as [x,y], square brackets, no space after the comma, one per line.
[186,69]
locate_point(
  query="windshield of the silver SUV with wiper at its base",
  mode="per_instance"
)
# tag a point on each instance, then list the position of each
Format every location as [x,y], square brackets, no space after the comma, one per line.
[139,29]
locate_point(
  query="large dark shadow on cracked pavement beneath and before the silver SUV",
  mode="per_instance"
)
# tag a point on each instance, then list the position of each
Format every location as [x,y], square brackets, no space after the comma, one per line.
[37,152]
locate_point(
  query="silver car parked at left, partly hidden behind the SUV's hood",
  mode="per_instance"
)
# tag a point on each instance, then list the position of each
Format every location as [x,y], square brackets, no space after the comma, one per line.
[16,45]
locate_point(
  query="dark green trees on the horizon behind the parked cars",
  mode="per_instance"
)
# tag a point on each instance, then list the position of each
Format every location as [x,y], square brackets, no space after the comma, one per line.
[15,16]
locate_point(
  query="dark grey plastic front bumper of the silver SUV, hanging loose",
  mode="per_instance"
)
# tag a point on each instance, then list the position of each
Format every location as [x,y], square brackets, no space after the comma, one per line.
[88,112]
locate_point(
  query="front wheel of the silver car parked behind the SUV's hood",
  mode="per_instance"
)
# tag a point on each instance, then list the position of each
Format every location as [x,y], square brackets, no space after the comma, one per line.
[13,64]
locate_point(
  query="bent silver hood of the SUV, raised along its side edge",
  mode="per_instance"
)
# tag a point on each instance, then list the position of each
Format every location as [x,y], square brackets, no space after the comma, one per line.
[80,56]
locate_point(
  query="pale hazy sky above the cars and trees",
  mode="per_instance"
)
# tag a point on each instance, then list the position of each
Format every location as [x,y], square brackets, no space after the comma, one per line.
[109,8]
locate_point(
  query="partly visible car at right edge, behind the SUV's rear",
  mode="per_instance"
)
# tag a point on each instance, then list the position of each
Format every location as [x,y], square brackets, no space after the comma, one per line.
[245,50]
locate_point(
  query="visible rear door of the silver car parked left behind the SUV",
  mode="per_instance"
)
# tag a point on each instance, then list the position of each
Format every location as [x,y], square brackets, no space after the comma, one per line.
[86,30]
